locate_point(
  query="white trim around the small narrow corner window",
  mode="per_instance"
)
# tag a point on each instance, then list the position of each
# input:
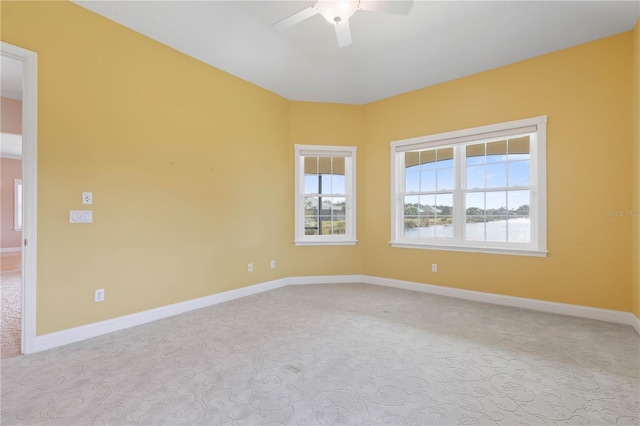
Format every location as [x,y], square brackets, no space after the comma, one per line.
[348,152]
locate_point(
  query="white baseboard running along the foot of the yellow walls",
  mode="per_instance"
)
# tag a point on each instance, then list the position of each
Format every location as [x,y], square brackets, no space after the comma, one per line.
[76,334]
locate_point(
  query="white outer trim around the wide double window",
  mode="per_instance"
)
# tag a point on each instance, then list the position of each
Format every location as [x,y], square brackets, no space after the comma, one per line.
[538,245]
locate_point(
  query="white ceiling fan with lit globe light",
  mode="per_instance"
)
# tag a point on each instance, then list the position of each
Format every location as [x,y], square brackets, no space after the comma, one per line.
[338,12]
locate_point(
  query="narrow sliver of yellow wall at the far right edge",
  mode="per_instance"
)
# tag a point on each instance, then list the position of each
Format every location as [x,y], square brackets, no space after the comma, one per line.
[635,252]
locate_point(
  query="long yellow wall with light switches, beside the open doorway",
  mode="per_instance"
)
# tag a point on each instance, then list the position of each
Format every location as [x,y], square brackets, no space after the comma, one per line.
[188,167]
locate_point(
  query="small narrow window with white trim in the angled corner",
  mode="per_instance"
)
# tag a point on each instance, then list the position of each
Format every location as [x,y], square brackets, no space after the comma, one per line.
[325,195]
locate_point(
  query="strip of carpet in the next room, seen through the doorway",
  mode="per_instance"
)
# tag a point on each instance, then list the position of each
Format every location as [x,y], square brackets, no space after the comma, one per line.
[11,326]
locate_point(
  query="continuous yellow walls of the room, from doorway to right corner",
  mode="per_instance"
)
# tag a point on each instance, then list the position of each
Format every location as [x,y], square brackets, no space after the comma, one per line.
[192,172]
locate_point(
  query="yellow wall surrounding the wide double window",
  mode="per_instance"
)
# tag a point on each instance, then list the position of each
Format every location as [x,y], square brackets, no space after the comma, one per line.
[585,92]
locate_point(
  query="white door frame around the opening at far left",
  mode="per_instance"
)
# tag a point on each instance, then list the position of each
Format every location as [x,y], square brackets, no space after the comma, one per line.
[29,188]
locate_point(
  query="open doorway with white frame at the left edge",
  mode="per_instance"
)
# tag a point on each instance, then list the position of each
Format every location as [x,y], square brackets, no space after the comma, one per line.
[19,144]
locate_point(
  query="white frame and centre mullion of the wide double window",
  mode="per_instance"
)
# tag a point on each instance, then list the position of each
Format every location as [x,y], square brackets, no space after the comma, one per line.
[457,140]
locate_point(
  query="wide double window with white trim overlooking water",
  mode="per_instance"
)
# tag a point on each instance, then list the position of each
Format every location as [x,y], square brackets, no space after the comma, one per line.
[481,189]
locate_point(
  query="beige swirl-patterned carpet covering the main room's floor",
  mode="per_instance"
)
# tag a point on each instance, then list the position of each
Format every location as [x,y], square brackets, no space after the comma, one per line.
[336,354]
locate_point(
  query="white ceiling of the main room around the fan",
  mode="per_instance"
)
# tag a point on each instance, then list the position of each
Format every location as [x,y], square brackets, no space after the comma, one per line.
[390,54]
